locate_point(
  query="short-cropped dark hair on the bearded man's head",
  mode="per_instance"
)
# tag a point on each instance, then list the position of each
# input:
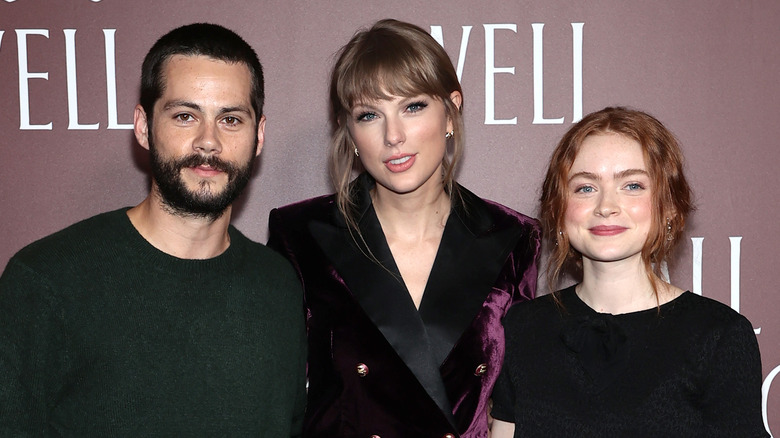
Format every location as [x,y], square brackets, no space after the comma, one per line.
[196,39]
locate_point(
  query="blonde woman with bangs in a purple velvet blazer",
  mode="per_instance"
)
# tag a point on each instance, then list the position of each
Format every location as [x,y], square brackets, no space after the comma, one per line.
[407,275]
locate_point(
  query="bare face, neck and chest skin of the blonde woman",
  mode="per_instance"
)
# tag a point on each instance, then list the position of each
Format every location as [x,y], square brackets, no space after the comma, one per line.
[401,142]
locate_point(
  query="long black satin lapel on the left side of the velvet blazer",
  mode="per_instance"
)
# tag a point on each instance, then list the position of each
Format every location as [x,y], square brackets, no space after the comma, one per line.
[383,297]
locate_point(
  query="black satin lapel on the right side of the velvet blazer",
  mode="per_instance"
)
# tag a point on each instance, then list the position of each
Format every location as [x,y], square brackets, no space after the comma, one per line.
[463,274]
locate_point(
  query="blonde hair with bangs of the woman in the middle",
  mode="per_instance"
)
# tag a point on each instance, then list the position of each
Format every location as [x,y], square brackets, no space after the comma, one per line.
[390,58]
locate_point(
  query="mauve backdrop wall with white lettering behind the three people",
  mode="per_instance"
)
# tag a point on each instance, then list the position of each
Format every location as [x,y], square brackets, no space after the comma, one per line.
[69,75]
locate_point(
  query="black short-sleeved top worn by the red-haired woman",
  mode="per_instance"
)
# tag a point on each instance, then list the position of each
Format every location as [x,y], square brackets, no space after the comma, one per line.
[689,369]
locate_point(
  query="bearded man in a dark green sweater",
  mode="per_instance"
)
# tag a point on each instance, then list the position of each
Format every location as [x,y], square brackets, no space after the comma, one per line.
[162,319]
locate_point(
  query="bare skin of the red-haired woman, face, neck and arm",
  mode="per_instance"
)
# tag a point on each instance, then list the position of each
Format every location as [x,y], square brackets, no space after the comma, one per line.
[608,219]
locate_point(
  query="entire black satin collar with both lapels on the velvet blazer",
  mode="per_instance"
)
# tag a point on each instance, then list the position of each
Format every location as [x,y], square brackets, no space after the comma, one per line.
[470,256]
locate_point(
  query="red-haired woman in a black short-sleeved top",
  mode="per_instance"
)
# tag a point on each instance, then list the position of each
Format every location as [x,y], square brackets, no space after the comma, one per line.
[623,353]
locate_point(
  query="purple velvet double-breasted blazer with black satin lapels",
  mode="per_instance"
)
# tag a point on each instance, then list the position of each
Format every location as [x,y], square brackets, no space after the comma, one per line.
[377,365]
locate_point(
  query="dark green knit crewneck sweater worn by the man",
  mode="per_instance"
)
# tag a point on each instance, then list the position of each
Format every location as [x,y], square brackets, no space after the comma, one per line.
[103,335]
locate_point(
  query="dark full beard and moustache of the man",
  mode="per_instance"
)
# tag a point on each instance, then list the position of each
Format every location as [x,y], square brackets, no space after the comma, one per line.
[203,202]
